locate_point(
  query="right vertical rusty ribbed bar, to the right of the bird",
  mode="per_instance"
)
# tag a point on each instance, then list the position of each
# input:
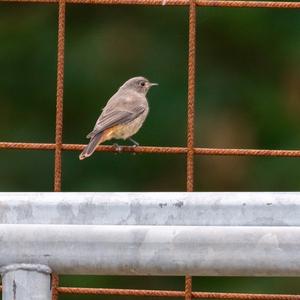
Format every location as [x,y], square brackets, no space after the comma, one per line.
[191,117]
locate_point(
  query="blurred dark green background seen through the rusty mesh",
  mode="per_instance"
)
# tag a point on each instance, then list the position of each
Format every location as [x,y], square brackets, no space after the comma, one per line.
[248,96]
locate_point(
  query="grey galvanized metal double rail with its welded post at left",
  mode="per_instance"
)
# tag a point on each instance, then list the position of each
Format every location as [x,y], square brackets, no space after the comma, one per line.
[218,234]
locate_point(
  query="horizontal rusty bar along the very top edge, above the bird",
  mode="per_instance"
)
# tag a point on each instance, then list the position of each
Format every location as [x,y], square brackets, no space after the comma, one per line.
[208,3]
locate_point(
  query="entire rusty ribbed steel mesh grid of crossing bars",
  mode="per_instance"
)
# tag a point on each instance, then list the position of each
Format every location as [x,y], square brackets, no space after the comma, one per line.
[190,150]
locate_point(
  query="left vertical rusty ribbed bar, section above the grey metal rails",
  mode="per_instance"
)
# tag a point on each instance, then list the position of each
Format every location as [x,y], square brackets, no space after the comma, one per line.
[59,95]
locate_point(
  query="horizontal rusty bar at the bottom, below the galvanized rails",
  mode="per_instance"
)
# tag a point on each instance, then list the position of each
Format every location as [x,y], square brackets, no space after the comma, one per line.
[165,293]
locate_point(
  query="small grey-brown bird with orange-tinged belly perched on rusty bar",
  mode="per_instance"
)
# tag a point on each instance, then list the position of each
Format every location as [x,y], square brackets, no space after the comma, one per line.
[123,115]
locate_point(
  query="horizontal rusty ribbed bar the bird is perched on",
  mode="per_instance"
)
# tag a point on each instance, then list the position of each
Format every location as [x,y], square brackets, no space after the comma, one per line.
[161,150]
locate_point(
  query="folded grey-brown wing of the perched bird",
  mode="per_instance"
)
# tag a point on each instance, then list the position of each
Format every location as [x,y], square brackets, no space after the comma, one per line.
[116,117]
